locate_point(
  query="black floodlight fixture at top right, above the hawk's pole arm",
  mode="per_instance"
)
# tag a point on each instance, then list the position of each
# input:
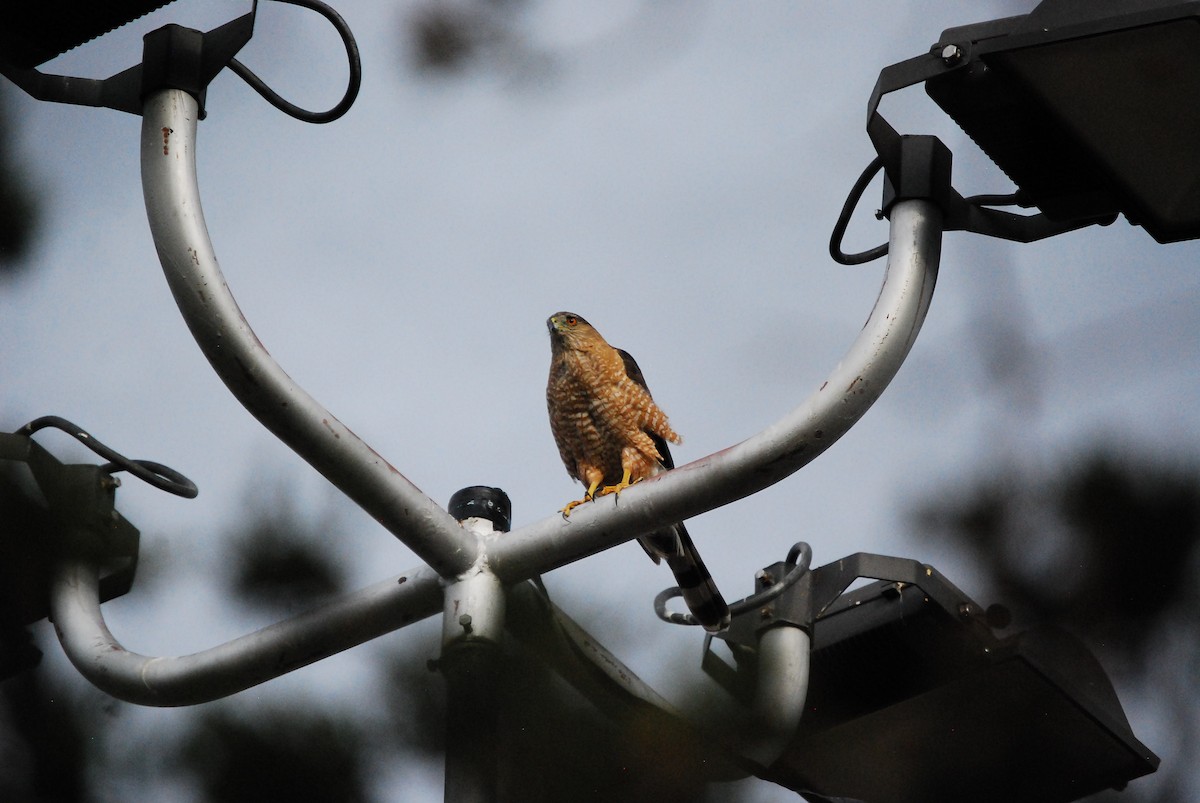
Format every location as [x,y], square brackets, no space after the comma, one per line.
[1091,107]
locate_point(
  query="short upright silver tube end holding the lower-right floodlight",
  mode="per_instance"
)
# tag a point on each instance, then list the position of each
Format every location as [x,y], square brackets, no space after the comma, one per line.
[783,688]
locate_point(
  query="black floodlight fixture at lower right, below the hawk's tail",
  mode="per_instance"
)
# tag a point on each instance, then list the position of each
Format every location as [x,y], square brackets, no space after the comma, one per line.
[914,698]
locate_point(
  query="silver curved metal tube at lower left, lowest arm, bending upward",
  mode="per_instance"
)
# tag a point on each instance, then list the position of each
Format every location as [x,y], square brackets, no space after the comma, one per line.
[236,666]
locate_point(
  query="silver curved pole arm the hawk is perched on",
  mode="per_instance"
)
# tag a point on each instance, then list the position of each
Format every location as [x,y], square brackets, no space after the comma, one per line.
[776,453]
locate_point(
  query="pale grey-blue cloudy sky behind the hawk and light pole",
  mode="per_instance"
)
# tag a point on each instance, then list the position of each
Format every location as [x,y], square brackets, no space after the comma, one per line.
[671,172]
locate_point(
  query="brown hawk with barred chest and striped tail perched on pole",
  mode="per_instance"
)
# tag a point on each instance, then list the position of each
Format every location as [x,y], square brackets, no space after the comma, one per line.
[611,435]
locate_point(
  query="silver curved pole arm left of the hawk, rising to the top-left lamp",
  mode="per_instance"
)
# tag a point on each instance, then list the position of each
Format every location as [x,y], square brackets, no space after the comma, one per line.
[177,223]
